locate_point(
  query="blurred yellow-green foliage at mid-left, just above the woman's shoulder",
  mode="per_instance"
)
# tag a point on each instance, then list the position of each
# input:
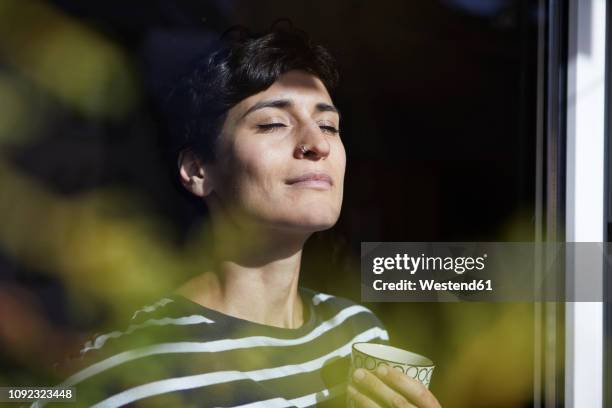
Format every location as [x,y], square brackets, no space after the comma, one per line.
[94,252]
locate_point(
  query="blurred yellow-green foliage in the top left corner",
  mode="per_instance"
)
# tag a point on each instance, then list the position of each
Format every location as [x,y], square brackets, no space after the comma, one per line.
[67,59]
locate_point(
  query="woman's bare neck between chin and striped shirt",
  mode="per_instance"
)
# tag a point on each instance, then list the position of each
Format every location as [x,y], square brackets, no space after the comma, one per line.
[254,276]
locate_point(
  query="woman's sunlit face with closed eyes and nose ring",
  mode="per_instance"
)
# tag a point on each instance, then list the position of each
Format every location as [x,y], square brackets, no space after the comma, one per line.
[280,160]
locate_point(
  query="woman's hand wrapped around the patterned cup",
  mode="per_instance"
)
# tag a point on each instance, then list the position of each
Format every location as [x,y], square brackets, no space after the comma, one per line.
[388,388]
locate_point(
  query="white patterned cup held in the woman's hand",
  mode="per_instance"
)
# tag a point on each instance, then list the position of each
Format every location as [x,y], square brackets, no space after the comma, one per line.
[372,355]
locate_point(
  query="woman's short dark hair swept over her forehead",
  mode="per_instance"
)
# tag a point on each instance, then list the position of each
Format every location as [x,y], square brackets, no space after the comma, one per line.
[242,65]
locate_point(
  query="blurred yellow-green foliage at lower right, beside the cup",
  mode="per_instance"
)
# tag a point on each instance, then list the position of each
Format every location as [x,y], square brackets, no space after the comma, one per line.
[484,352]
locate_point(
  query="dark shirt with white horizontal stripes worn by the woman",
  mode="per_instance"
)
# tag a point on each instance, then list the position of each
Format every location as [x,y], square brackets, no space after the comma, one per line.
[179,353]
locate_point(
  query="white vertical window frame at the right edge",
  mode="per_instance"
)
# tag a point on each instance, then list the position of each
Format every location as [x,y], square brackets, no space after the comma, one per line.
[585,176]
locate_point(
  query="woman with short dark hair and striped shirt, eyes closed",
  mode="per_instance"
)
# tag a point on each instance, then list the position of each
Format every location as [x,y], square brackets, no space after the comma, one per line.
[261,146]
